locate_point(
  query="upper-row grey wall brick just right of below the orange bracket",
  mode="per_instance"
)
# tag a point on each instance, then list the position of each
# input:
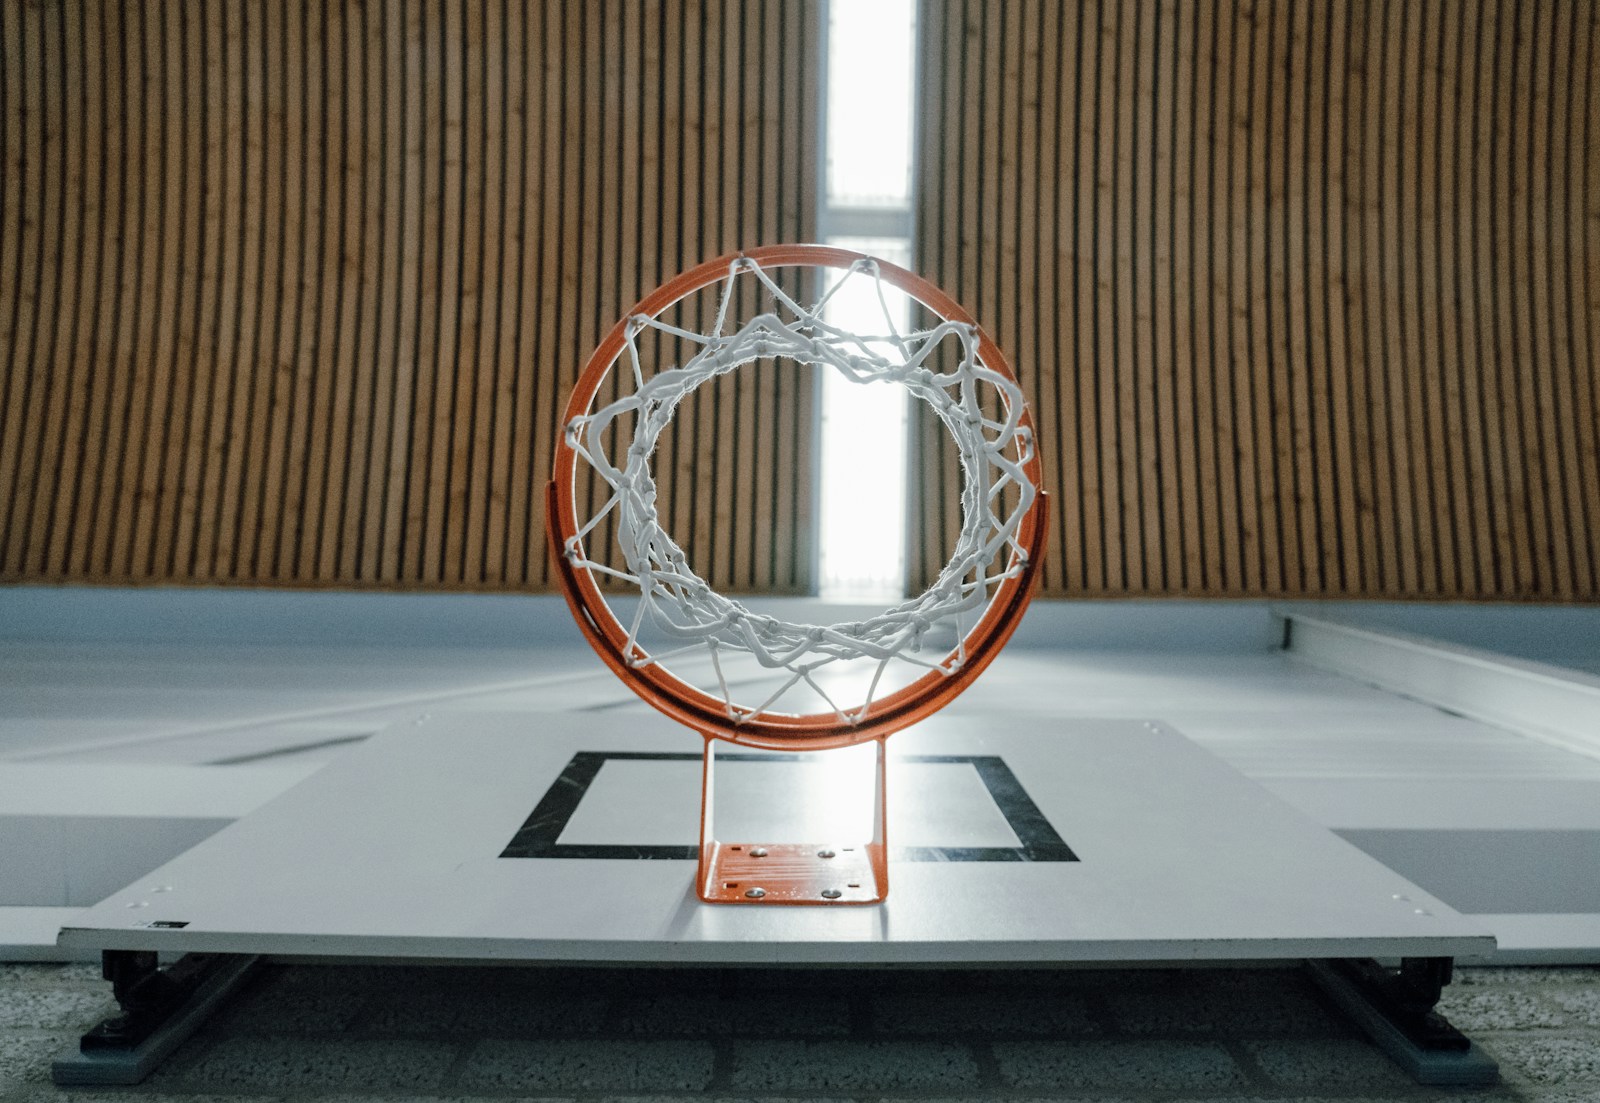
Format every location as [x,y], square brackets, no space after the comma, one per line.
[1031,1014]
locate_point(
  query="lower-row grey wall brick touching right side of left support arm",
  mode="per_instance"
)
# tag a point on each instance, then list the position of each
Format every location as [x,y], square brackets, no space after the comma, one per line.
[305,1065]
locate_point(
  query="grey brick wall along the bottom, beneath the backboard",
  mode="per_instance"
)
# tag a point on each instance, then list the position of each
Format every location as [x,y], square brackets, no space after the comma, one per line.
[380,1033]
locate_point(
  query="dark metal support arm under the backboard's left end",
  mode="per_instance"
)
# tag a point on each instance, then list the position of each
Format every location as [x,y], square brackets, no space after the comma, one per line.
[161,1009]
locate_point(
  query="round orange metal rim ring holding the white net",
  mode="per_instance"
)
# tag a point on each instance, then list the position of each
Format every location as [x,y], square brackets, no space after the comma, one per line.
[690,705]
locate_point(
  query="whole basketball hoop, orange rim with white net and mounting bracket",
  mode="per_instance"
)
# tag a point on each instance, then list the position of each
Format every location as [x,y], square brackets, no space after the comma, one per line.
[740,676]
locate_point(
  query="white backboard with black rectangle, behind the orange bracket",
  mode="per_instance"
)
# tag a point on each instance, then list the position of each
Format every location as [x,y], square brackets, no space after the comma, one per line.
[396,851]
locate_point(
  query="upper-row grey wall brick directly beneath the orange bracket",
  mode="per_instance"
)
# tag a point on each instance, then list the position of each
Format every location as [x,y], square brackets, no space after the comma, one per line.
[802,1014]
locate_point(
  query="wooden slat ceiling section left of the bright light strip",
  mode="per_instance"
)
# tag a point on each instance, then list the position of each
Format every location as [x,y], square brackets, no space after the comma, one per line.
[292,295]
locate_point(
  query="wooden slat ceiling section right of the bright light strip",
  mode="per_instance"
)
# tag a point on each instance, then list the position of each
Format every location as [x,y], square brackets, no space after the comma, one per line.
[1306,295]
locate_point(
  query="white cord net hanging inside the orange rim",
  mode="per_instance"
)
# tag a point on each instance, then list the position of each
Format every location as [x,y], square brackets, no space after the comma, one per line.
[695,619]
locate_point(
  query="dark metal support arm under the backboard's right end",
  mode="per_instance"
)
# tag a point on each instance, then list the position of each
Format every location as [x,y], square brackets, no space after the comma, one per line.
[1396,1006]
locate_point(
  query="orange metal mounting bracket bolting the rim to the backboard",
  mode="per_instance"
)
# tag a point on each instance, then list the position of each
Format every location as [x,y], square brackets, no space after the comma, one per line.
[830,872]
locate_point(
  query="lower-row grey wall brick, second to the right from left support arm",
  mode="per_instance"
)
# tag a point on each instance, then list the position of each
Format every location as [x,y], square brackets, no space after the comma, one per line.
[582,1065]
